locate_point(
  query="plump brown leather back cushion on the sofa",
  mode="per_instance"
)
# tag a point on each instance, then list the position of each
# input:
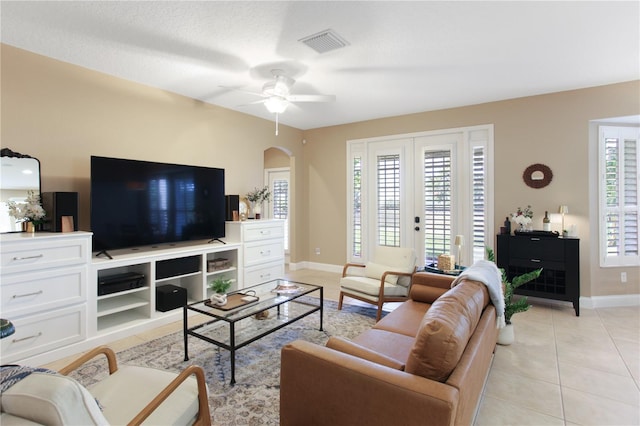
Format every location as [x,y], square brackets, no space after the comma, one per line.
[446,329]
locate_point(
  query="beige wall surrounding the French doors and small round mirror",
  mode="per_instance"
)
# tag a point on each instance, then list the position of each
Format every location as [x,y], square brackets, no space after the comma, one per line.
[549,129]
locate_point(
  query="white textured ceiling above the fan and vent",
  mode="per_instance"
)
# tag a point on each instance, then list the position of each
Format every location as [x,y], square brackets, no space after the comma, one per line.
[403,57]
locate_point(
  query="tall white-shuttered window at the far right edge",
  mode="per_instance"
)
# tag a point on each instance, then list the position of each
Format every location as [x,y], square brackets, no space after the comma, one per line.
[619,195]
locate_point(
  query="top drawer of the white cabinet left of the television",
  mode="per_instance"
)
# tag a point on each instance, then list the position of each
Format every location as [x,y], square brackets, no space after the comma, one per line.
[38,255]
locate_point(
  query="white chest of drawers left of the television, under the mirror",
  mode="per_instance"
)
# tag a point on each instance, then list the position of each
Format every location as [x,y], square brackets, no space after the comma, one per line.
[43,291]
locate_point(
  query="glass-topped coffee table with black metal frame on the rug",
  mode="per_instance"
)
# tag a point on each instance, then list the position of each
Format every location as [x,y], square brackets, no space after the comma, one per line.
[251,314]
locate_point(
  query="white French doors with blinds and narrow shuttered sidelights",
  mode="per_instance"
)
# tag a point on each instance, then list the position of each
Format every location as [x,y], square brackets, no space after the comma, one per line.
[422,191]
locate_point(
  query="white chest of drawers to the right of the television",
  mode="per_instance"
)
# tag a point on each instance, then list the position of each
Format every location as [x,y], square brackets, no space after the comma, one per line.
[262,249]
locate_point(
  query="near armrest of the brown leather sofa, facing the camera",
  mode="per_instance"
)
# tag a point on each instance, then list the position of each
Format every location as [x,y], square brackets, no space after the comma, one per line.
[320,386]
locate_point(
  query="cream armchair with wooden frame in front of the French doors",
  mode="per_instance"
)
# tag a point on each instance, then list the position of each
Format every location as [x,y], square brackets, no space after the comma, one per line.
[386,278]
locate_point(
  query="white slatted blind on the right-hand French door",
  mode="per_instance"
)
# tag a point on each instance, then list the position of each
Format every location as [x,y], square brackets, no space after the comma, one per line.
[437,204]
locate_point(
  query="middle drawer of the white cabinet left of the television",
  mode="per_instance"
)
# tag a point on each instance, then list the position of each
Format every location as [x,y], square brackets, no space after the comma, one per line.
[28,293]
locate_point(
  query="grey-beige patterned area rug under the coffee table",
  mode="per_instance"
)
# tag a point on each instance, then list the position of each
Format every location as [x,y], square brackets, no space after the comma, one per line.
[254,399]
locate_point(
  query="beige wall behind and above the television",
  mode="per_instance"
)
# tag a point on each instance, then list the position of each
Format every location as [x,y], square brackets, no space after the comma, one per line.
[62,114]
